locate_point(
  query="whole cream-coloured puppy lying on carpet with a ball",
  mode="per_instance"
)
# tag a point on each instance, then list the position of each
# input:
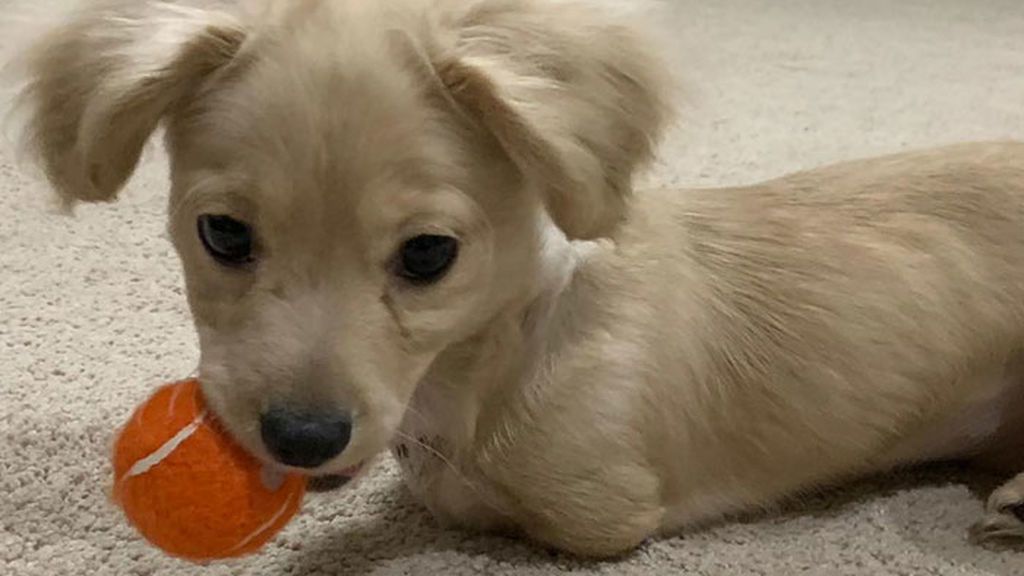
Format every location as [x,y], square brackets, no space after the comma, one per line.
[412,225]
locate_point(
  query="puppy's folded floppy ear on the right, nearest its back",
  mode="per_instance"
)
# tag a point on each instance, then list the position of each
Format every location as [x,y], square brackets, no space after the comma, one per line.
[573,95]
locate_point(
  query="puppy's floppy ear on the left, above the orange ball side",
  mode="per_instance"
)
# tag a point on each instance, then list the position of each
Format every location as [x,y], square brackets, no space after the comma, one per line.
[99,86]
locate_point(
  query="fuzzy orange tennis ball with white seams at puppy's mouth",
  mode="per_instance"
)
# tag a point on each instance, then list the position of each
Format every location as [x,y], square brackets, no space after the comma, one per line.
[190,488]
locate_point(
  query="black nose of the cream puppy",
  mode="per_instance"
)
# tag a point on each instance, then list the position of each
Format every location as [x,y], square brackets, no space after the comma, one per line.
[305,440]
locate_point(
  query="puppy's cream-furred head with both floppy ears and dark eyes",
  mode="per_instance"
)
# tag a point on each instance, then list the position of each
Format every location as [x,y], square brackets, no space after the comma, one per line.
[356,186]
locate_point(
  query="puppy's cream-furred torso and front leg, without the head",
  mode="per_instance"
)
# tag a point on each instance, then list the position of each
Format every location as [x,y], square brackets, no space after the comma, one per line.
[735,347]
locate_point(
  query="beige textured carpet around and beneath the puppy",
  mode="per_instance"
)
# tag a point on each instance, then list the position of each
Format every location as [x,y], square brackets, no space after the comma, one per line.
[92,313]
